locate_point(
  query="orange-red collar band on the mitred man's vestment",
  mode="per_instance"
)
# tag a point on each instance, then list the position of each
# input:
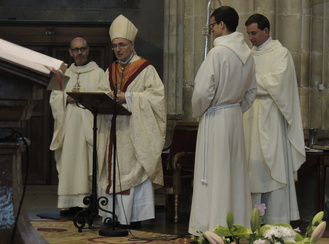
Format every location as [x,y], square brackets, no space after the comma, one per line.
[123,75]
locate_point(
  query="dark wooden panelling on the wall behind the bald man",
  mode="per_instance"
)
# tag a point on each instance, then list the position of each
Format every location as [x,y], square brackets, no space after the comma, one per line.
[52,38]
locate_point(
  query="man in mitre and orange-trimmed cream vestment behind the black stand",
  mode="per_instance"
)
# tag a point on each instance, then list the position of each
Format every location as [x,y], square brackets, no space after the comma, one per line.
[140,137]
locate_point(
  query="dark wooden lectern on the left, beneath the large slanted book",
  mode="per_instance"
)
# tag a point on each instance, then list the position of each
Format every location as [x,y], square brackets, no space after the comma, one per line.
[20,89]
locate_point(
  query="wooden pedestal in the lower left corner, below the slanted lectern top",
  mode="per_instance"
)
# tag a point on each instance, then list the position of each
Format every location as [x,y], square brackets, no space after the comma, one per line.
[10,197]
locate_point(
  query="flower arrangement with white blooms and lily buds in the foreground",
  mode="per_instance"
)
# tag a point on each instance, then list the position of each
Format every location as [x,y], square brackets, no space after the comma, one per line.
[279,233]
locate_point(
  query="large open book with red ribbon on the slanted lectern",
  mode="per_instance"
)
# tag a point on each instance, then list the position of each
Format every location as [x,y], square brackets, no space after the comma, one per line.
[35,61]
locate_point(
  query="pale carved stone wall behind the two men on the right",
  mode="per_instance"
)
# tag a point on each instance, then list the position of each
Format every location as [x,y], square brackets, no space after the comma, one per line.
[302,26]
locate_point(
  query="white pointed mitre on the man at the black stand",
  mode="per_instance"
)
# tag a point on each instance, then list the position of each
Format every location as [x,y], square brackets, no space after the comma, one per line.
[121,27]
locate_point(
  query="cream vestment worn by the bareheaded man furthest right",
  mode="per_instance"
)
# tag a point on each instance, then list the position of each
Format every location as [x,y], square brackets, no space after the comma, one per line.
[274,134]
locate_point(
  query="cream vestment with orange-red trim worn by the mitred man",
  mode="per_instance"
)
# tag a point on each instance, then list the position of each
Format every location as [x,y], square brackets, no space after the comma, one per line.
[140,141]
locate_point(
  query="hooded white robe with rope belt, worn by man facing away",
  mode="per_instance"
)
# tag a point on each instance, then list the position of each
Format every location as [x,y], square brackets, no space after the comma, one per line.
[225,87]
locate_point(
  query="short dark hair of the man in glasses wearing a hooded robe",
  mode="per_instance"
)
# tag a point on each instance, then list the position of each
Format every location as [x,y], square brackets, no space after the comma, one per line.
[228,15]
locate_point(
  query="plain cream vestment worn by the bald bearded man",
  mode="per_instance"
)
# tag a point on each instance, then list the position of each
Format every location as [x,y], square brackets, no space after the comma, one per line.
[73,136]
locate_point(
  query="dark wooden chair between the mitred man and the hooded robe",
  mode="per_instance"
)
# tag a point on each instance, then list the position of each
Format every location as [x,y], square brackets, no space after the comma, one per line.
[179,163]
